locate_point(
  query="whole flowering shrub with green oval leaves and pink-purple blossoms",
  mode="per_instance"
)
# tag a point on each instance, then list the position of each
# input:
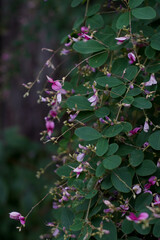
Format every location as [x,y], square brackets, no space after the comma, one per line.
[109,144]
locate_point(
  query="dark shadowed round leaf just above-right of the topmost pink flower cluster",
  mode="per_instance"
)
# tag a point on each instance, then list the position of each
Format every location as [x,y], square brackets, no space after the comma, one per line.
[95,21]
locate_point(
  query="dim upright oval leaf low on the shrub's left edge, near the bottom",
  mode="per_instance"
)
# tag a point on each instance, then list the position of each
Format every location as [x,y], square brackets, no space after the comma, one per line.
[67,217]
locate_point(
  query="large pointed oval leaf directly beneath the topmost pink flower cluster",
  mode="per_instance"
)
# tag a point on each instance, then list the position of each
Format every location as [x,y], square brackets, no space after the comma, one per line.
[91,46]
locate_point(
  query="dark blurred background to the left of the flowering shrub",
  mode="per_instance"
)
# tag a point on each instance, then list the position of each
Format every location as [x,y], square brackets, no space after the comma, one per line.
[25,28]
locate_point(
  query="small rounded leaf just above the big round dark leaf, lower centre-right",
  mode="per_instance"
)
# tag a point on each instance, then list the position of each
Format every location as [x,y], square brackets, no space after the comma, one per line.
[112,162]
